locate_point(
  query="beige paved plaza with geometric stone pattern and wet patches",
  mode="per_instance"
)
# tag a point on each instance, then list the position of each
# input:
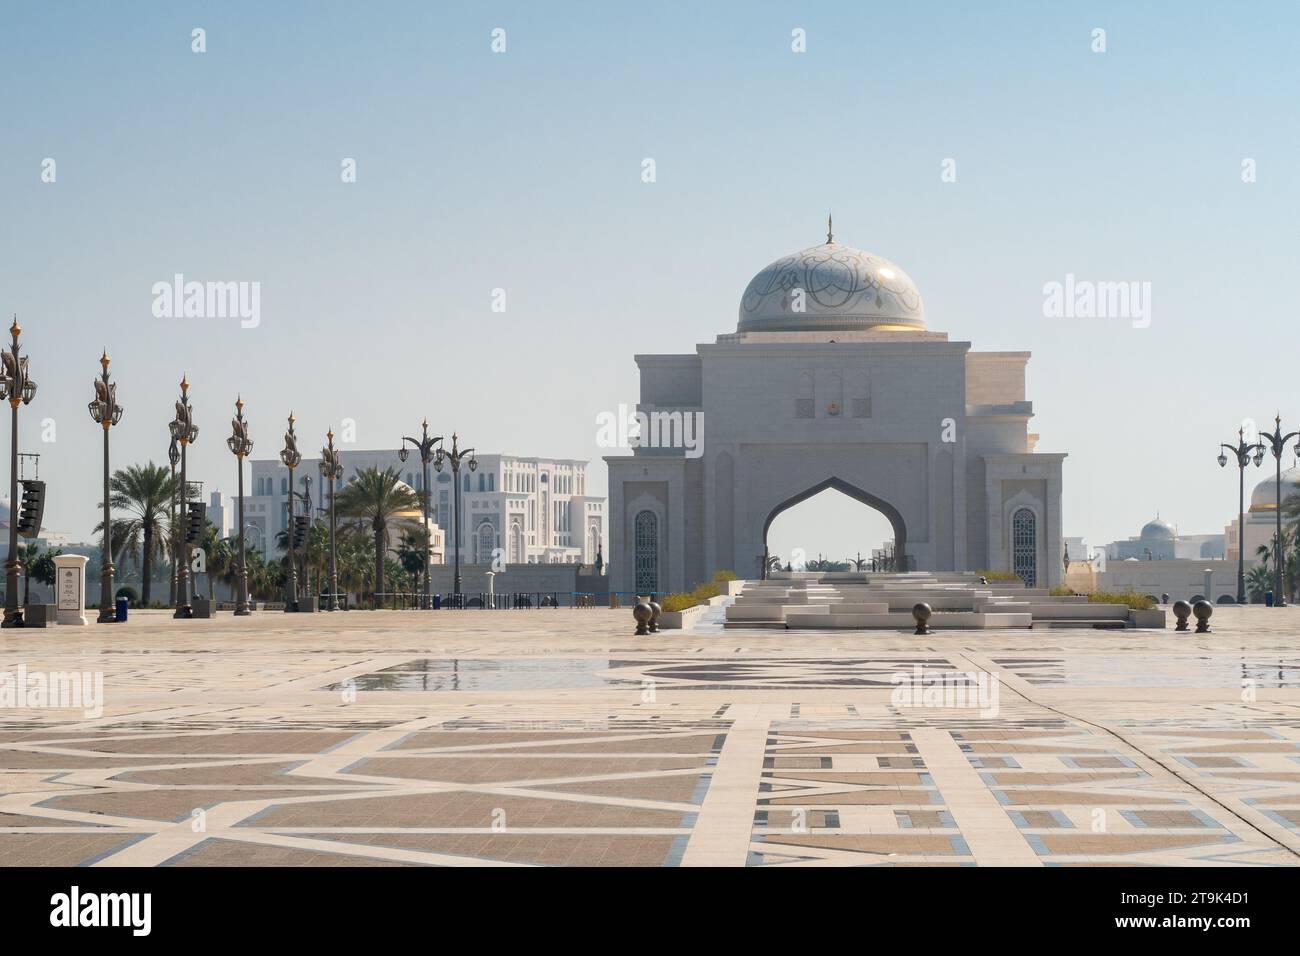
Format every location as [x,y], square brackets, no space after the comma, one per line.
[558,738]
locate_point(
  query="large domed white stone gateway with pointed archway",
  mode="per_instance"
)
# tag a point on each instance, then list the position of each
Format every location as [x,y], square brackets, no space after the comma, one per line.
[833,380]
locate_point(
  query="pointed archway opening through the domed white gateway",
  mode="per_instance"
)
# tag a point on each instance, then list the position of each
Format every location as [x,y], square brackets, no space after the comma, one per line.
[837,526]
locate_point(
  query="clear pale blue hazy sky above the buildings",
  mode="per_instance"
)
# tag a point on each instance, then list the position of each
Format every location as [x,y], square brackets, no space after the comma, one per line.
[522,171]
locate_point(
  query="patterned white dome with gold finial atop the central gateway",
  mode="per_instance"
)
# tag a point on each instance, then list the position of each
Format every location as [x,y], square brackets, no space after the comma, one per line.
[831,288]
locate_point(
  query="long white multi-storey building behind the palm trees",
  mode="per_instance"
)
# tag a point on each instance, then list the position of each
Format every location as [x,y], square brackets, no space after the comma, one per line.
[536,511]
